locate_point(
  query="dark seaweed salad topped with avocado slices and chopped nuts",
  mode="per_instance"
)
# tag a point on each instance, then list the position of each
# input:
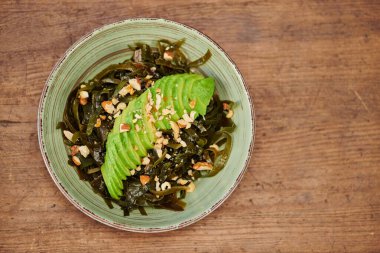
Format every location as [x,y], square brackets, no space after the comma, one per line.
[141,132]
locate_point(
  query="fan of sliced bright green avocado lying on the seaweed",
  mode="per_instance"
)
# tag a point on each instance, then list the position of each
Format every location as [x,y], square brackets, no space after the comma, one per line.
[124,150]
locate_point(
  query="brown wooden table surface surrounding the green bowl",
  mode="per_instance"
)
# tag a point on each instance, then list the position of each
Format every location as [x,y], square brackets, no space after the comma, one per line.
[313,184]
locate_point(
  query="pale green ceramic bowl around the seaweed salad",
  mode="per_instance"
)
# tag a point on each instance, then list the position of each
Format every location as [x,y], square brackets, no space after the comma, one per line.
[107,45]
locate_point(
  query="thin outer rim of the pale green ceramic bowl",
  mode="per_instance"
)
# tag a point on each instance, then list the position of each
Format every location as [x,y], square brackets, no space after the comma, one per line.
[71,199]
